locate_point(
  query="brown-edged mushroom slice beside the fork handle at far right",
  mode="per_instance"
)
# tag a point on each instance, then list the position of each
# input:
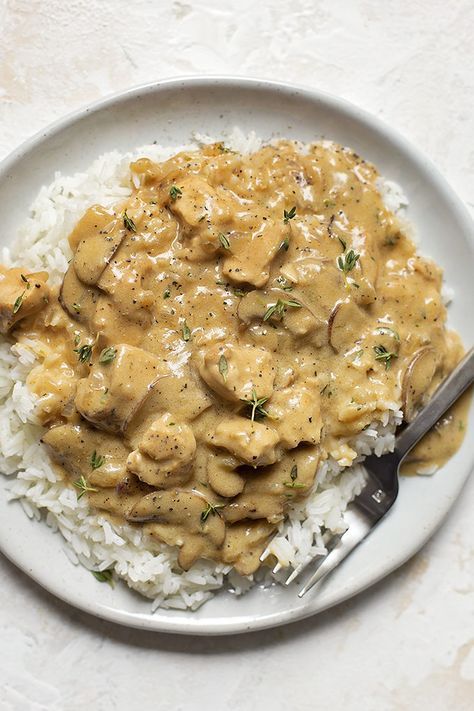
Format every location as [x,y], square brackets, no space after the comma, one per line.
[417,379]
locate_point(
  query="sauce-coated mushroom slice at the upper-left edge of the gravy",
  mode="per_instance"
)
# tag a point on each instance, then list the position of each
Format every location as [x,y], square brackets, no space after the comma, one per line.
[97,237]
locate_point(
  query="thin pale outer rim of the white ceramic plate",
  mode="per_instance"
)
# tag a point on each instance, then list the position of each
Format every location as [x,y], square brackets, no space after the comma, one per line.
[181,624]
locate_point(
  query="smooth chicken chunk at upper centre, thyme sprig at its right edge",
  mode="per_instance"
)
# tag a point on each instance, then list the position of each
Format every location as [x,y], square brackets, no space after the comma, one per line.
[250,255]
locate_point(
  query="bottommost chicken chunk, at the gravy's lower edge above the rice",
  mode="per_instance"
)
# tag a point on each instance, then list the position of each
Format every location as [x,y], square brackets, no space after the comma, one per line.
[244,543]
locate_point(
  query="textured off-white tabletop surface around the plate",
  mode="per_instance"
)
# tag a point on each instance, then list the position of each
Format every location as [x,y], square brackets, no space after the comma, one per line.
[408,642]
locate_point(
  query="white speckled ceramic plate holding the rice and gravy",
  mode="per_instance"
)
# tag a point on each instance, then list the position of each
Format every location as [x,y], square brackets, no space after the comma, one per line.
[168,112]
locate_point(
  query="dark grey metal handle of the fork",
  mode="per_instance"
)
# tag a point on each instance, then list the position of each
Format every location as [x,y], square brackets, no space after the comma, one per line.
[447,394]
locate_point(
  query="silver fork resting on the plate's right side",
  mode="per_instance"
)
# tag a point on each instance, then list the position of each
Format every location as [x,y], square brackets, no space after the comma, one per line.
[381,488]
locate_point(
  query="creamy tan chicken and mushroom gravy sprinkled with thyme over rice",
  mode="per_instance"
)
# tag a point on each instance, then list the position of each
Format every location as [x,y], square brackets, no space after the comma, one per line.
[236,321]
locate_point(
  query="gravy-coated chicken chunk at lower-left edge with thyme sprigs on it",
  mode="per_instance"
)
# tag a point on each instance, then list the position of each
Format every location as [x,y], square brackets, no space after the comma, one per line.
[83,451]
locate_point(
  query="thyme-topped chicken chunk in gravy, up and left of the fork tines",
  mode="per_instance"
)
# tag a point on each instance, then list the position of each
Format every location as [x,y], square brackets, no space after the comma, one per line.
[267,493]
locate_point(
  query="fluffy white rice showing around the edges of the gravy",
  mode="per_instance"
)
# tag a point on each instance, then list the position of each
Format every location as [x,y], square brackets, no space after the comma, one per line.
[91,539]
